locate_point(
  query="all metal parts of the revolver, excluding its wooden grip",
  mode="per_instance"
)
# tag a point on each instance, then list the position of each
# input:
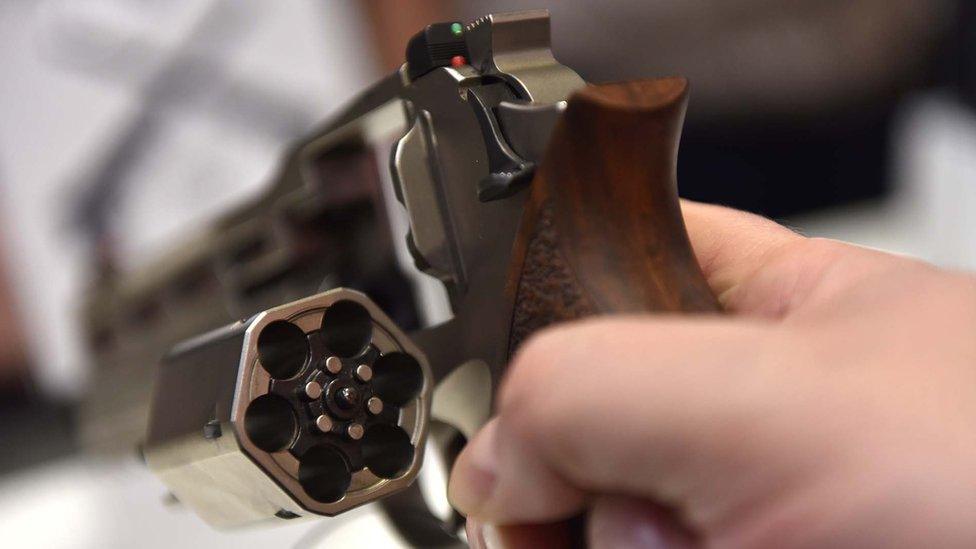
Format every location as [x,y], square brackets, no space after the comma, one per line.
[461,127]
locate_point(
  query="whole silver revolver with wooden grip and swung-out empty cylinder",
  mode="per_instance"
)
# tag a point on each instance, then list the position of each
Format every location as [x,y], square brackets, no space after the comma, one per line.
[281,364]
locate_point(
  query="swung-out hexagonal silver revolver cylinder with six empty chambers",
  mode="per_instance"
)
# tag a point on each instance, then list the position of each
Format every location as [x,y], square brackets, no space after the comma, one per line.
[313,407]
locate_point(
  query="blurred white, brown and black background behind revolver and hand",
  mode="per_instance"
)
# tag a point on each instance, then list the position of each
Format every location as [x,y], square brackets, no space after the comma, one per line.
[135,121]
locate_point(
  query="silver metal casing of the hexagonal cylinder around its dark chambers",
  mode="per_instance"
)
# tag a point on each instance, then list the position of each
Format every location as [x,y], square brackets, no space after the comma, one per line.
[231,480]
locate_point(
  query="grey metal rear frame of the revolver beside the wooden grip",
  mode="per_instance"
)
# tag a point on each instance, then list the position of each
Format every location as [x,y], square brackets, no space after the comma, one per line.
[448,159]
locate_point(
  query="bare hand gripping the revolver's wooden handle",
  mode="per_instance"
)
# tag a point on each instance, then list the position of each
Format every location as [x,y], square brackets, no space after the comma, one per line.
[834,406]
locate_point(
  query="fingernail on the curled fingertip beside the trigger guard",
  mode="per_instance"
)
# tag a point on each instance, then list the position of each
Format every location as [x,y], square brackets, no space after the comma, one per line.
[473,478]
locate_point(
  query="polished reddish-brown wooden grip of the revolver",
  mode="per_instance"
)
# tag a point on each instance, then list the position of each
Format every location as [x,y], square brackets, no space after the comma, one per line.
[602,230]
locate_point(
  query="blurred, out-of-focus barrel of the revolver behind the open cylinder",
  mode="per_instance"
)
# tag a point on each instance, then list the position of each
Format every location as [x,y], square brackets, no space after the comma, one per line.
[309,227]
